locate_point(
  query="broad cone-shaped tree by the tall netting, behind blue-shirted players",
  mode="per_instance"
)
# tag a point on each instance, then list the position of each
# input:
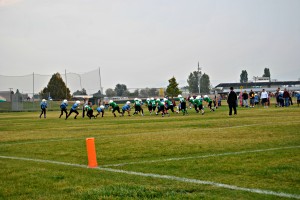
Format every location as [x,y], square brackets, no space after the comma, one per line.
[56,88]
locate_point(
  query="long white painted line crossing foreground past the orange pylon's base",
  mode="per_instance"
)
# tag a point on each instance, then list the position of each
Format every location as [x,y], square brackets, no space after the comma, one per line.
[167,177]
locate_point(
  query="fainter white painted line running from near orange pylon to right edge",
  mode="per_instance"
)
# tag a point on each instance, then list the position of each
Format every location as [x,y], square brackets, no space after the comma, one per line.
[204,156]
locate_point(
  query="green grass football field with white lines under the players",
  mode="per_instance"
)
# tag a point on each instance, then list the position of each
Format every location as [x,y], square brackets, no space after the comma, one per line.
[254,155]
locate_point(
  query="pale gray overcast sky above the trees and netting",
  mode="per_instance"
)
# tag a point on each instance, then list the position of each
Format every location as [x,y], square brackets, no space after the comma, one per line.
[143,43]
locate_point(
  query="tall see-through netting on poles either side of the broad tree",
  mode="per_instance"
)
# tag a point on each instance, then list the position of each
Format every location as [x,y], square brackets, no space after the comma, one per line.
[21,93]
